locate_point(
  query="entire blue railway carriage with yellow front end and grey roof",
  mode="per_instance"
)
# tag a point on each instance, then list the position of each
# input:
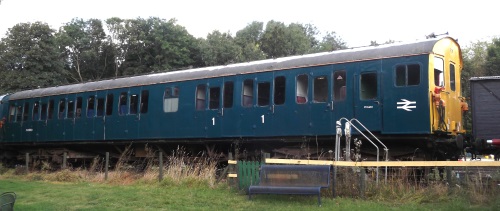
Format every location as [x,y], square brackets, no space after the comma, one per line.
[408,94]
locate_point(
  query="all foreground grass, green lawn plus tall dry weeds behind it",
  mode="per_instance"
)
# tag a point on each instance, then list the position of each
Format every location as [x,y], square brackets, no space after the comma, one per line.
[190,184]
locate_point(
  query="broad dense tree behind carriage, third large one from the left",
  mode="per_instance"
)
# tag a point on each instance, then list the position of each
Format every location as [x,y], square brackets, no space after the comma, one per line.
[154,45]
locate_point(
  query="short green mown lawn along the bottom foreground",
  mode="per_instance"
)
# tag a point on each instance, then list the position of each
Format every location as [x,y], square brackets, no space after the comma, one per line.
[44,195]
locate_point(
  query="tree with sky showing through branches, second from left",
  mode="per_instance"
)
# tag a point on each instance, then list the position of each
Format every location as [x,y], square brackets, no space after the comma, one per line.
[89,54]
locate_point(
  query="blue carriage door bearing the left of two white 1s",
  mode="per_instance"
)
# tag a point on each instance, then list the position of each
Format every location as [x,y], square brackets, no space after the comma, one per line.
[214,114]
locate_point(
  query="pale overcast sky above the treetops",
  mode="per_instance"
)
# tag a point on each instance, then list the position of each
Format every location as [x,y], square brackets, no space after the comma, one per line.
[356,21]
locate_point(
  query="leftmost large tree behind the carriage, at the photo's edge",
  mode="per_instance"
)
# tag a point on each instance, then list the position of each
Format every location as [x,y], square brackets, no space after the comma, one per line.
[30,59]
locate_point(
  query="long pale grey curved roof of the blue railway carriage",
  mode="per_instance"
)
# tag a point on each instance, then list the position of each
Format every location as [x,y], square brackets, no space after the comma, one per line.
[310,60]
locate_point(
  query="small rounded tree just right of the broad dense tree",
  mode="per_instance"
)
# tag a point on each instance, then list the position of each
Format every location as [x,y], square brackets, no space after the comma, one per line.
[219,49]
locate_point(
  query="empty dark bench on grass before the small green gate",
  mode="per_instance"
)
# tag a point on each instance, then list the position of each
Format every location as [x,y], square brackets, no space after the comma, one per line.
[292,179]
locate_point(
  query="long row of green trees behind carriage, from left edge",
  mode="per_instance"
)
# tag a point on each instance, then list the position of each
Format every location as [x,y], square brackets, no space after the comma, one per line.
[88,50]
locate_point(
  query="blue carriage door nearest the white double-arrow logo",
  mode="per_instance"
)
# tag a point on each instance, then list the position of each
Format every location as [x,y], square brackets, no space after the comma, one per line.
[367,103]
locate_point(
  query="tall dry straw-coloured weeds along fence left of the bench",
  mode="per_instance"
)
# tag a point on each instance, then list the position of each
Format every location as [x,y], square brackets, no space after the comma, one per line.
[179,168]
